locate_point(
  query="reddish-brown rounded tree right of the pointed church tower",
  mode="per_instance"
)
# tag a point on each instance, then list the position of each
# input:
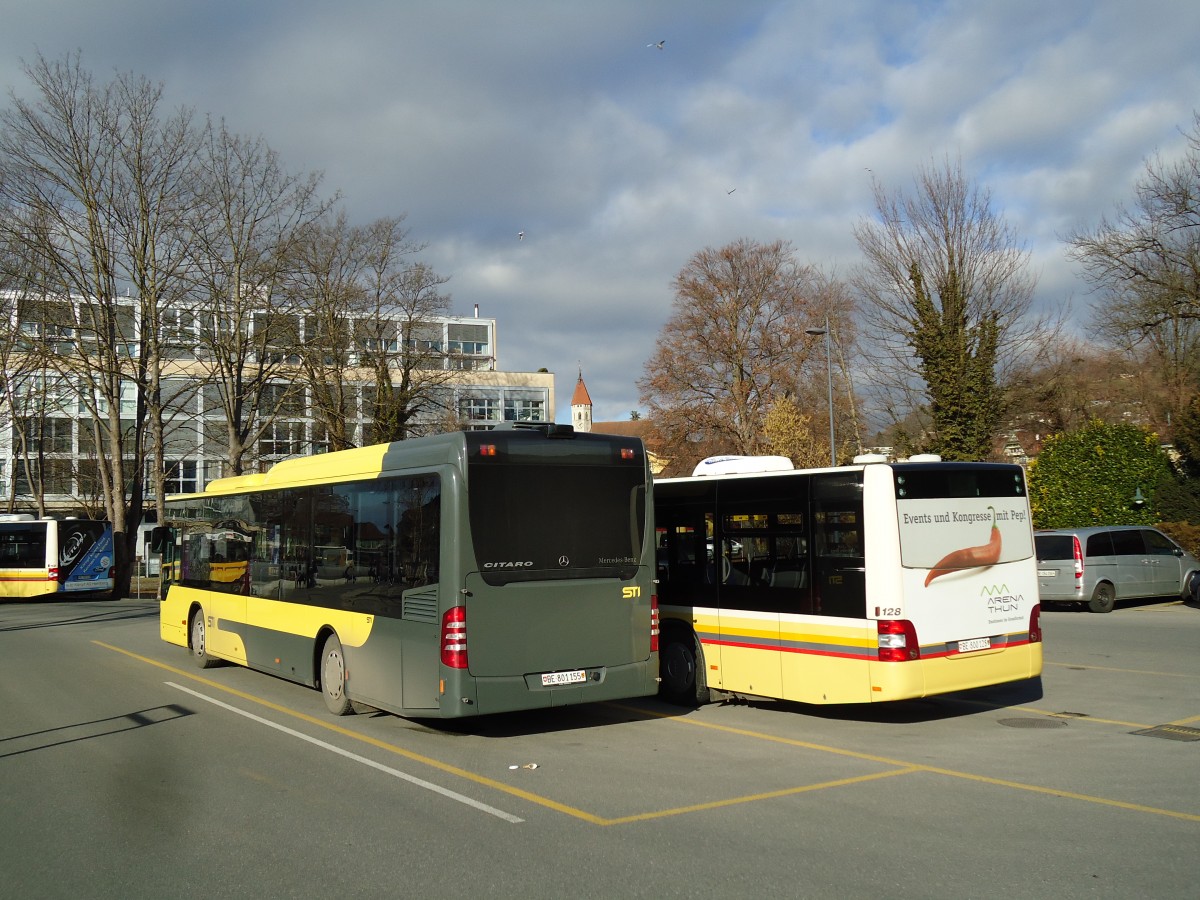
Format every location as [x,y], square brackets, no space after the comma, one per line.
[736,347]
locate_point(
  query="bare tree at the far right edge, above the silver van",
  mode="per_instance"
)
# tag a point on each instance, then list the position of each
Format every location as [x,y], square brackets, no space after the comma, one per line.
[1145,265]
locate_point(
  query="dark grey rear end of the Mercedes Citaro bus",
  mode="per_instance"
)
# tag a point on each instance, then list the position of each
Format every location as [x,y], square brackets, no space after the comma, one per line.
[557,605]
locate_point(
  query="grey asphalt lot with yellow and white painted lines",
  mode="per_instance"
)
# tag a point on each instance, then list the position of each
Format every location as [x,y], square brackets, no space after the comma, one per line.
[127,773]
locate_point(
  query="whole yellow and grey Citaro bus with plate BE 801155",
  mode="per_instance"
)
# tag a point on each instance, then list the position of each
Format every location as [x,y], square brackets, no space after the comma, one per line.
[451,575]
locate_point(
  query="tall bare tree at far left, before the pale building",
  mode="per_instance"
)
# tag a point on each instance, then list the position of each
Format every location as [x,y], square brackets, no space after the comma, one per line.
[98,182]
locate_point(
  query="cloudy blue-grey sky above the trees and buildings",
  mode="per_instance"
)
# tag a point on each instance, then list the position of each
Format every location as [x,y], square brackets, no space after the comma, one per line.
[620,160]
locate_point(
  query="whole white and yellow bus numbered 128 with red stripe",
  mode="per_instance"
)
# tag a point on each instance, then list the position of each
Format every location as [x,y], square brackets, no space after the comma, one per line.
[861,584]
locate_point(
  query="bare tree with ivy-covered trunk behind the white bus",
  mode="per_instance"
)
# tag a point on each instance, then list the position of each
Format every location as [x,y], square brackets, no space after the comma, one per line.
[946,296]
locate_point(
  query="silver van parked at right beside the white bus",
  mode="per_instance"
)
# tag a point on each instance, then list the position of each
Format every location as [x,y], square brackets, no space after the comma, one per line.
[1101,566]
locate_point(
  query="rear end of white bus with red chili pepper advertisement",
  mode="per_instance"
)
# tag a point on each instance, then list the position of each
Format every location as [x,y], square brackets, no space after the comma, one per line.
[968,614]
